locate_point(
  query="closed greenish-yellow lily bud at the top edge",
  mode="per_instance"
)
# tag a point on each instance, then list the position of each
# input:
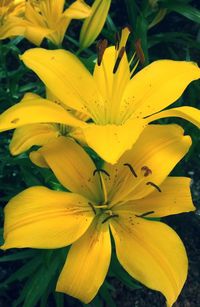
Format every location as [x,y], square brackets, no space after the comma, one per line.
[93,25]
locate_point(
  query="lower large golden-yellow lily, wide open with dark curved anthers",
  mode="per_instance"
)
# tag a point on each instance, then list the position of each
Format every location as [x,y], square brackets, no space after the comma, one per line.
[118,198]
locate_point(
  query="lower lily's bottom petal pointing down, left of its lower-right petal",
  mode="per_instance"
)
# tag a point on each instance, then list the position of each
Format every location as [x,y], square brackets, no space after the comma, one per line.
[87,264]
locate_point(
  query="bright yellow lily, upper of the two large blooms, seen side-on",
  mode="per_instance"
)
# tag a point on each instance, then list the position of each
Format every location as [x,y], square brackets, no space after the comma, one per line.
[119,106]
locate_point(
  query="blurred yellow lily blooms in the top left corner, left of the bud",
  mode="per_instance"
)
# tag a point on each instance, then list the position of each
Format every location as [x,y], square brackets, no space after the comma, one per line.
[39,19]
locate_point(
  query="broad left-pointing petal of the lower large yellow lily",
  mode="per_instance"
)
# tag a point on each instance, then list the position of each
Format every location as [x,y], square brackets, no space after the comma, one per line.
[41,218]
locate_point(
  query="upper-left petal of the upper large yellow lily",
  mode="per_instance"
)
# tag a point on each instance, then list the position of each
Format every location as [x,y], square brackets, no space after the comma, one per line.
[67,78]
